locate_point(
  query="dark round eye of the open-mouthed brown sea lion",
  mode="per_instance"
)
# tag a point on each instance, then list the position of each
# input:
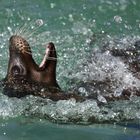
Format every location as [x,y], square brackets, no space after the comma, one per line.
[16,70]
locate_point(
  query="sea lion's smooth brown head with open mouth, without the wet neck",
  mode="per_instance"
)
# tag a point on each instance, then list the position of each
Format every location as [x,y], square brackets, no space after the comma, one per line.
[21,63]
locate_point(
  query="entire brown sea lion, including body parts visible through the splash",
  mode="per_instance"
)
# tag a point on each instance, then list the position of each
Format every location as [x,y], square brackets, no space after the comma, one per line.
[25,77]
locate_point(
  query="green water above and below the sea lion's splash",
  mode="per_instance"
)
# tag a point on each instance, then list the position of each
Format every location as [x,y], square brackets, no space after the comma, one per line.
[70,24]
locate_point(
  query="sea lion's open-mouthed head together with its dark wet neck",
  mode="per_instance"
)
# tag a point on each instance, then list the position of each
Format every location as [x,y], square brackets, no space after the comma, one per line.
[25,77]
